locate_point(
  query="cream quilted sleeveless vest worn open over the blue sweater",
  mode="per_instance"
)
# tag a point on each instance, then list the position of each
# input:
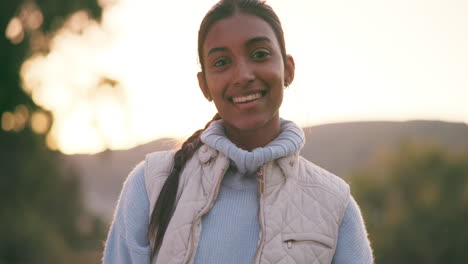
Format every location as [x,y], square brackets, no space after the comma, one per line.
[301,207]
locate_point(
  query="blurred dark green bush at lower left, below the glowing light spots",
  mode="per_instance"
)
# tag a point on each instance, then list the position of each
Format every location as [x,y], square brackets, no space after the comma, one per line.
[43,220]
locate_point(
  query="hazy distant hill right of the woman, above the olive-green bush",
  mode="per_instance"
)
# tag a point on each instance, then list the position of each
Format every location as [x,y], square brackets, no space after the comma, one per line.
[343,147]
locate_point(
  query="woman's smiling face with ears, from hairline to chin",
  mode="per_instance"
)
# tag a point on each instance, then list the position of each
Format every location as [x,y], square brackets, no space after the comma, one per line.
[244,72]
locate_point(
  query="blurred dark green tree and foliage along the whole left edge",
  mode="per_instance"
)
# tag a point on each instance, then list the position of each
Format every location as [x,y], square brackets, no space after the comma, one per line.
[42,217]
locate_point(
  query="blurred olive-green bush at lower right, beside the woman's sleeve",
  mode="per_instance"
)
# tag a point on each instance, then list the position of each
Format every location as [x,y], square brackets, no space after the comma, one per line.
[415,202]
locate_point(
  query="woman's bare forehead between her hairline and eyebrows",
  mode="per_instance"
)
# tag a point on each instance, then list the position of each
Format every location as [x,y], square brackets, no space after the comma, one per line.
[236,30]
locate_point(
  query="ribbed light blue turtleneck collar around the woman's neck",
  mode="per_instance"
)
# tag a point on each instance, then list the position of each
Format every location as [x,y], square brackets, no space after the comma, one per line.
[290,140]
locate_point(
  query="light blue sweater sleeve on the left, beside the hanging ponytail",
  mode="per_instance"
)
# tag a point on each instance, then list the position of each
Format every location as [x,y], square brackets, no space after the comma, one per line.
[127,240]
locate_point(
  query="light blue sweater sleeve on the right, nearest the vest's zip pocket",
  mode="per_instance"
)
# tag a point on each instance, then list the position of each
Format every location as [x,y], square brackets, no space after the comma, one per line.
[353,245]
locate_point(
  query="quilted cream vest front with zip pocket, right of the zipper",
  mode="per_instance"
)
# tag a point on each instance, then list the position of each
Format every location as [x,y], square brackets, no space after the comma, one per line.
[304,204]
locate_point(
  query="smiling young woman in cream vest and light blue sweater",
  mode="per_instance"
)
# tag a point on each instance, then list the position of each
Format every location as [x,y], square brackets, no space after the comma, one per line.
[238,191]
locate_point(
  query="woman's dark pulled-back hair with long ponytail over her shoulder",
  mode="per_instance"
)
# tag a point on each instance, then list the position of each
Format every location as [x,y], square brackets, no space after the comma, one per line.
[164,206]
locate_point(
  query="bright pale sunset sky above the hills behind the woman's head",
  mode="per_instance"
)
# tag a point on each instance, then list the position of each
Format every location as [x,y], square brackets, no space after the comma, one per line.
[131,78]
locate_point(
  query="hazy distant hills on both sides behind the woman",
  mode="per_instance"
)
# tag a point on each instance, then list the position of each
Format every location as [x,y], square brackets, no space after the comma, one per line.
[339,148]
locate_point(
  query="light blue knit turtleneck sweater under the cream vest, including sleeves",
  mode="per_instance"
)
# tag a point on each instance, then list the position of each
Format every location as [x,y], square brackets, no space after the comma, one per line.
[230,230]
